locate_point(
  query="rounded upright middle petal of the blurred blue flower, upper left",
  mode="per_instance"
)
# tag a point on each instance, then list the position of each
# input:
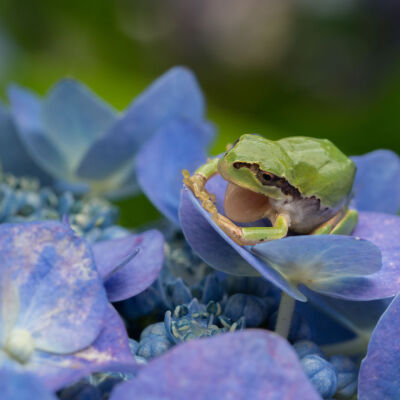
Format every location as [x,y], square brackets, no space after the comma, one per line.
[73,118]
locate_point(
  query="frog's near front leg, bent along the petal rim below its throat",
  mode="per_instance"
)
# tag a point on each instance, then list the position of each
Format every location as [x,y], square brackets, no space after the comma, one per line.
[248,236]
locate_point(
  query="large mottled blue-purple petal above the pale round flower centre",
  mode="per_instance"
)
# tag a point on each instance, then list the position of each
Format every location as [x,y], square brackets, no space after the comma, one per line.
[47,275]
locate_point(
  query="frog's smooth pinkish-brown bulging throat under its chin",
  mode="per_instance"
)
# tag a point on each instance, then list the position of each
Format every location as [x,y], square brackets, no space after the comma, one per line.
[243,205]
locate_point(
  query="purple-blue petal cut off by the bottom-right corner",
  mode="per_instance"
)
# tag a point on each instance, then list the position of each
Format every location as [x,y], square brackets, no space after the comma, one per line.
[380,370]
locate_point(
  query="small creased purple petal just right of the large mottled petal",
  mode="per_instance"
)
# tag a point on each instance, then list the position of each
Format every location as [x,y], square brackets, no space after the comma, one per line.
[131,264]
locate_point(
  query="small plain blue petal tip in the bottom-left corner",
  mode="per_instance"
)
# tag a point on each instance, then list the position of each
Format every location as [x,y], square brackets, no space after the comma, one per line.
[22,386]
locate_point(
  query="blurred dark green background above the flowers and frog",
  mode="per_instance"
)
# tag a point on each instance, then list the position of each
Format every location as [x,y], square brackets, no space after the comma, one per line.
[324,68]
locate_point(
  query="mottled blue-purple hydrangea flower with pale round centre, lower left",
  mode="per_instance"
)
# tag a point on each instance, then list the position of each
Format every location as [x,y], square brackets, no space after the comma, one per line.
[56,321]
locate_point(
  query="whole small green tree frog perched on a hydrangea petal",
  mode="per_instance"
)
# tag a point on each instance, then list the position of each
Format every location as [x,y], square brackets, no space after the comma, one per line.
[301,184]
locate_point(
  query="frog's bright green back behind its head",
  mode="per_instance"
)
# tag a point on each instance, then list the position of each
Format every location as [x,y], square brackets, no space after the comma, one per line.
[319,169]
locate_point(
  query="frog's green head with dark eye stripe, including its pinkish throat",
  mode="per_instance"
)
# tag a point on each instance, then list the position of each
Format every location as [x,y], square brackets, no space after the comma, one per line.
[257,169]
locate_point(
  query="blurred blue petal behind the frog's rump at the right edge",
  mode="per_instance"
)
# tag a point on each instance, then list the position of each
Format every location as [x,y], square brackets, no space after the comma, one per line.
[377,183]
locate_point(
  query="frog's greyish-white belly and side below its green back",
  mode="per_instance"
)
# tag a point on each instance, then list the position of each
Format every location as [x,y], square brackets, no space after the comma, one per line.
[305,214]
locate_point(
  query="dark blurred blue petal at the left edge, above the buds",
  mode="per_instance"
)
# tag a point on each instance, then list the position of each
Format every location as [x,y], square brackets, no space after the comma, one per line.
[13,155]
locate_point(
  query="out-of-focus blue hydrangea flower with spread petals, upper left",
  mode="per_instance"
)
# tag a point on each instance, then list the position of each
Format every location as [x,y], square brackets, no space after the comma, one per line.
[82,142]
